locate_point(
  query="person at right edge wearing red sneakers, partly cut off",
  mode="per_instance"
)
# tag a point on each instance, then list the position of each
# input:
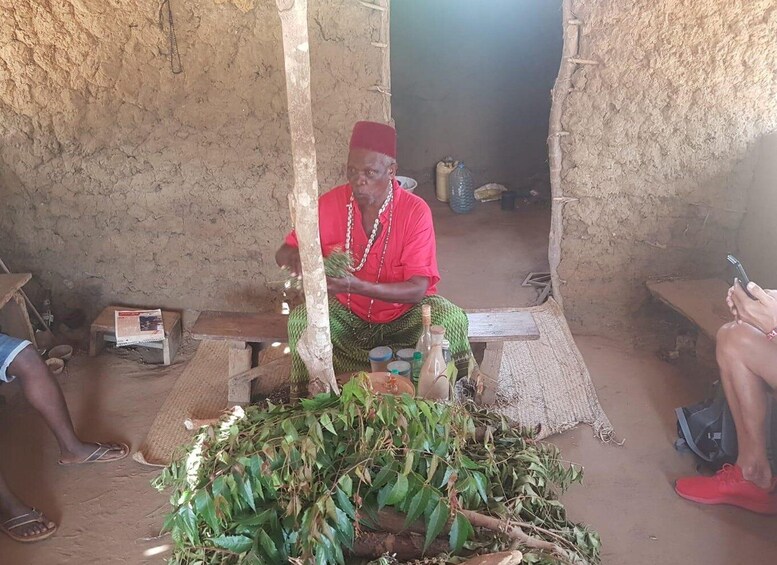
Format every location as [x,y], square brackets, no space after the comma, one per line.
[747,356]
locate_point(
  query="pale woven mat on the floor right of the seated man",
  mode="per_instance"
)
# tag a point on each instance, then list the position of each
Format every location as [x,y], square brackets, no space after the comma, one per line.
[545,382]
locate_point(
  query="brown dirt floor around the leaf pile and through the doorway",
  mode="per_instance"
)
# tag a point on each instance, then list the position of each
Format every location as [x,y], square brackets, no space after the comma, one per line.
[110,514]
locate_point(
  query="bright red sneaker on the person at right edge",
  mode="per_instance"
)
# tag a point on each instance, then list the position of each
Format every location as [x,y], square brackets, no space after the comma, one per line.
[728,486]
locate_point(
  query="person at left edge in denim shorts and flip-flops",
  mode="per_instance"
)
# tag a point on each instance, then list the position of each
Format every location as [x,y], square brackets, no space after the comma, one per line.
[18,359]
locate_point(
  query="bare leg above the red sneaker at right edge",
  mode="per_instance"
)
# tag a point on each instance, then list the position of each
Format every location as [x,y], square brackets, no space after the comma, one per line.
[748,367]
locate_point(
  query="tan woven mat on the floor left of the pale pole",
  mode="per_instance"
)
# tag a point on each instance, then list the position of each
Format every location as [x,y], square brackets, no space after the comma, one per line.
[199,392]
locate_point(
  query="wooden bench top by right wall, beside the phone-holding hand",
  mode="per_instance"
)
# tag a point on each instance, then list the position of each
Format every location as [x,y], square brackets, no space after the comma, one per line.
[703,302]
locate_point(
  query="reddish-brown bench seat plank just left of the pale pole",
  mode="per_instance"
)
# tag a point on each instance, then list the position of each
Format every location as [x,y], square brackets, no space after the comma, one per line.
[252,327]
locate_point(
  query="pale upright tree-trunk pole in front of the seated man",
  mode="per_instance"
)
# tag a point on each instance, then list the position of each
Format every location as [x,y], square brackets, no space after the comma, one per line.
[315,345]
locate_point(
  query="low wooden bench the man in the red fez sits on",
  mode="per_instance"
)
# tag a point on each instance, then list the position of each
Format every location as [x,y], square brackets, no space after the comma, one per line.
[492,327]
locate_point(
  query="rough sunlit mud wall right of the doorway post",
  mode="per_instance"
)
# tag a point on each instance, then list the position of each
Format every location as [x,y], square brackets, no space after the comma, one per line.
[662,149]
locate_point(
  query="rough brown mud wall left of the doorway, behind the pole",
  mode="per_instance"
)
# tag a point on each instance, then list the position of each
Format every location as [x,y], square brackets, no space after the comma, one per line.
[123,182]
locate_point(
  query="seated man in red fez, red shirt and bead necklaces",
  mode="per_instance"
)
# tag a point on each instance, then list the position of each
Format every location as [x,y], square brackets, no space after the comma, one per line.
[389,234]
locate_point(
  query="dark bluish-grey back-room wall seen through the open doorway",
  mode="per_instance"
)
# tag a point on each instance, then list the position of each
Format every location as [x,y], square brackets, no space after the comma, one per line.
[473,80]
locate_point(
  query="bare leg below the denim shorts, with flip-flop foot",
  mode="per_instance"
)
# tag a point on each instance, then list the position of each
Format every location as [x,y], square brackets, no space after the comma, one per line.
[43,392]
